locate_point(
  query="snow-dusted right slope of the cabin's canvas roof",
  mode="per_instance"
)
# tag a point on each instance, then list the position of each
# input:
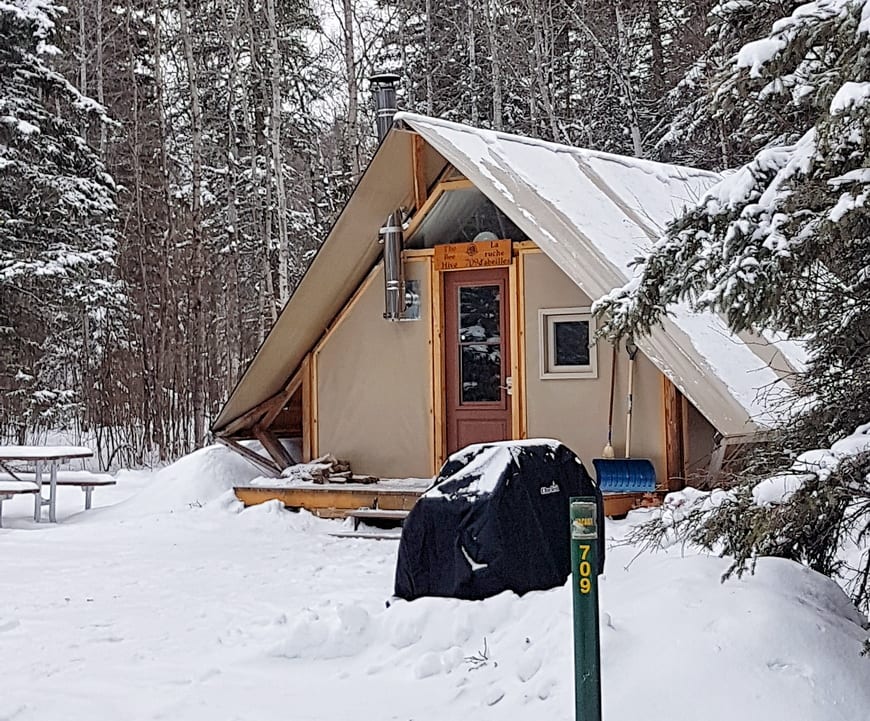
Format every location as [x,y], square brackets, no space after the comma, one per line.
[593,213]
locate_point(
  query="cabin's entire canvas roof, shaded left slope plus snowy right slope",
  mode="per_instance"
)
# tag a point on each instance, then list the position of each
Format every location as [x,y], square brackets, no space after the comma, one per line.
[592,213]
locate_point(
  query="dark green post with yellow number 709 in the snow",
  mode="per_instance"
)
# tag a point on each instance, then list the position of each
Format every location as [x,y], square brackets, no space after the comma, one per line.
[584,582]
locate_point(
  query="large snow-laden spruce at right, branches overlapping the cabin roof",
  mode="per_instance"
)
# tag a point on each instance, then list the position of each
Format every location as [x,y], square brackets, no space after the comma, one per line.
[781,245]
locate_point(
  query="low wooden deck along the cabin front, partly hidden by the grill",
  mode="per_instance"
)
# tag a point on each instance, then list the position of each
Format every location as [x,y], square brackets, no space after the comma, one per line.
[338,500]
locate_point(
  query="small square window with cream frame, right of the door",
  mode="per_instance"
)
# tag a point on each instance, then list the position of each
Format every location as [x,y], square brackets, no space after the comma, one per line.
[567,349]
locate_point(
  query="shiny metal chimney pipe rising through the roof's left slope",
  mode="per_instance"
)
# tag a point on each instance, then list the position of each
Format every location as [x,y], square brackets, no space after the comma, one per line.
[384,92]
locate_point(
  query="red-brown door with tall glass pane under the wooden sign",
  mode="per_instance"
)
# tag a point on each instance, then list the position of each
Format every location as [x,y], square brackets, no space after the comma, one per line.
[476,357]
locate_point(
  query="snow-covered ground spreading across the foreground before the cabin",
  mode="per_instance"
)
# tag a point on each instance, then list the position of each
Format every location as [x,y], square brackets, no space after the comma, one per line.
[168,601]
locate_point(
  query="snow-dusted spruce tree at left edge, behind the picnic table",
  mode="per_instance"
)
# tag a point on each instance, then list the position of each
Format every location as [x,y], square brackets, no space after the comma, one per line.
[56,228]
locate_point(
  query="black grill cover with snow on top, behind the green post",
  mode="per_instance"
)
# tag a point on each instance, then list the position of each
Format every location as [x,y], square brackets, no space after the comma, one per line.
[496,519]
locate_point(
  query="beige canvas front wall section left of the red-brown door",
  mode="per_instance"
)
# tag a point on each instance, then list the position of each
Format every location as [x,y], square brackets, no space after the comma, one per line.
[374,386]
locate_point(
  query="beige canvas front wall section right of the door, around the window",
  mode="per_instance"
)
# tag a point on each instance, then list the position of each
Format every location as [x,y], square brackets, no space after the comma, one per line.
[575,410]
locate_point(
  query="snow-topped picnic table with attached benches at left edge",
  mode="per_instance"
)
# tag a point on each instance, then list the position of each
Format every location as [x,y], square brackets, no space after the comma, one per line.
[31,482]
